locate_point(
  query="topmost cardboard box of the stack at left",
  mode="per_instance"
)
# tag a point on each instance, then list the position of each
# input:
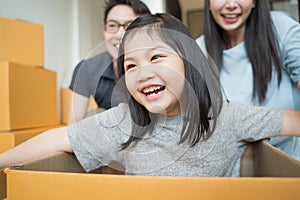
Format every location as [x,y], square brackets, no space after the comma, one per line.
[21,42]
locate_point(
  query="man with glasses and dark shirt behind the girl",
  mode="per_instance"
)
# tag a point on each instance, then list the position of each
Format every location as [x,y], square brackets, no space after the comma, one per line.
[97,76]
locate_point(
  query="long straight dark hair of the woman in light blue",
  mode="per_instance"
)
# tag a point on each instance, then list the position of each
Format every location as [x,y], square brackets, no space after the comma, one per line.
[260,41]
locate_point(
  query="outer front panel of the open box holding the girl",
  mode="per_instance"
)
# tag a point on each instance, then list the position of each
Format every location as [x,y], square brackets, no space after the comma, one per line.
[33,185]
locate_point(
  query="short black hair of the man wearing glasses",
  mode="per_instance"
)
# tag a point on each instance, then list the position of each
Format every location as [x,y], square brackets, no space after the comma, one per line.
[138,6]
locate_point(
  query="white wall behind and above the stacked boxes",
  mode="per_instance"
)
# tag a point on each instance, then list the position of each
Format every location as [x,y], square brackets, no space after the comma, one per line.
[56,17]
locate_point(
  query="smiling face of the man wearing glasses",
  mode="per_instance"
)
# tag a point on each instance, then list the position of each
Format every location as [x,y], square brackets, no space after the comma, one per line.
[118,15]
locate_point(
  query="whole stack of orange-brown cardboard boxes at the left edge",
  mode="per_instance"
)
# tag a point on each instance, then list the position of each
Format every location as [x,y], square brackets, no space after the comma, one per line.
[28,91]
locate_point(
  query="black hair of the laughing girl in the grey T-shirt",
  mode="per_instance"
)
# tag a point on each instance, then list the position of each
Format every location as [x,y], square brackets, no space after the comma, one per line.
[202,99]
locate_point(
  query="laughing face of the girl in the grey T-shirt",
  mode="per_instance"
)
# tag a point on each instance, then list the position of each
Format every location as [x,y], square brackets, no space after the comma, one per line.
[154,74]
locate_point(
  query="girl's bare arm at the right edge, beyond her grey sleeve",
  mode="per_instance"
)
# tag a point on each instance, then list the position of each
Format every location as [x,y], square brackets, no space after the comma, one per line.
[291,123]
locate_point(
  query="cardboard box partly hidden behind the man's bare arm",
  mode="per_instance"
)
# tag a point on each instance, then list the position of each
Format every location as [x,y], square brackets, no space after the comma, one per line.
[66,98]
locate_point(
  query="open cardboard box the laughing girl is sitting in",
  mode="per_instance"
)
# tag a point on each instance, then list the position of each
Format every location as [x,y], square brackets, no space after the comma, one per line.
[268,174]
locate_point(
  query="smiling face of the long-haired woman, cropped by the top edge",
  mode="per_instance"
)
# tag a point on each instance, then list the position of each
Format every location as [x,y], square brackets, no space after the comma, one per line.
[231,15]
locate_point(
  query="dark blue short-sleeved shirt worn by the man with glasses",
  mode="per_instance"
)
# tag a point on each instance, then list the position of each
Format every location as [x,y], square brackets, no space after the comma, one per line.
[95,76]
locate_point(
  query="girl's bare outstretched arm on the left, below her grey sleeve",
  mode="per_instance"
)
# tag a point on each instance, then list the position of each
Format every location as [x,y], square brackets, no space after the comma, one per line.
[49,142]
